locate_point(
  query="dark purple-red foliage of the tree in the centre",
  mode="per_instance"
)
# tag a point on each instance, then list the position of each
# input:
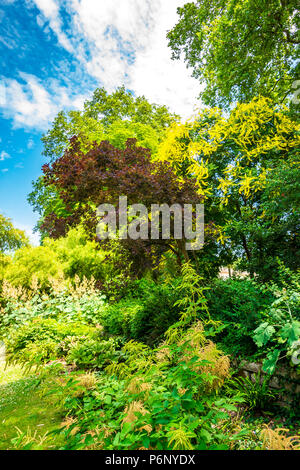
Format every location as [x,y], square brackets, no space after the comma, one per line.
[102,175]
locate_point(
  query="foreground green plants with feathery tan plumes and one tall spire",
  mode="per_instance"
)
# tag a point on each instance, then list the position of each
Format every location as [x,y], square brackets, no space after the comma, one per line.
[163,398]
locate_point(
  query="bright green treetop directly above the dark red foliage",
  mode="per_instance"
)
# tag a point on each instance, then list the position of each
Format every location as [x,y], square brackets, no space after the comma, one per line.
[114,117]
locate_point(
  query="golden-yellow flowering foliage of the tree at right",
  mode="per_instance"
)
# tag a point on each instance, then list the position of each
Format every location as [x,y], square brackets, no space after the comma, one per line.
[255,128]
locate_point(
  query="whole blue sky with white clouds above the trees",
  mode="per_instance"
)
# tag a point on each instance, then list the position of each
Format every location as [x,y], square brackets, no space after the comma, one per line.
[54,53]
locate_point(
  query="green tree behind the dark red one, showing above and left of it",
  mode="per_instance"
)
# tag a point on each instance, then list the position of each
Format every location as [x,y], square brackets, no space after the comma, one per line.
[115,117]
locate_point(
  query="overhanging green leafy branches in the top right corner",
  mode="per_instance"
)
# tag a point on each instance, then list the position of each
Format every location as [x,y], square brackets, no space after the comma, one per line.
[239,49]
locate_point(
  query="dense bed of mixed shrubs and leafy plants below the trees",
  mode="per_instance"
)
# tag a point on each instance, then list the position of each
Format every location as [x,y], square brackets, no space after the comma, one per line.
[150,370]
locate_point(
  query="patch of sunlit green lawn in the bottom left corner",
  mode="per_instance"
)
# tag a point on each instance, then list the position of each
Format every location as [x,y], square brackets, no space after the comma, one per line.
[26,414]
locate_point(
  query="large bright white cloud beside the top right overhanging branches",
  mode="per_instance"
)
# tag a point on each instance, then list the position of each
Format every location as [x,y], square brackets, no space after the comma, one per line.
[118,27]
